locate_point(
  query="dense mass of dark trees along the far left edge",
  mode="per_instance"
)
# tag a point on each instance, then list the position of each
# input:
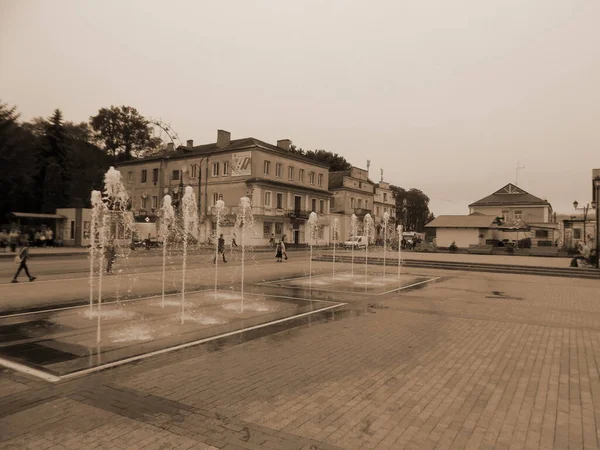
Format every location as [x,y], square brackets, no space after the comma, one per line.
[47,163]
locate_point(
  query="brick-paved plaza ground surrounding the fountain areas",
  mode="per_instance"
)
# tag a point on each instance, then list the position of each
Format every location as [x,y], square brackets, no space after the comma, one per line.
[467,360]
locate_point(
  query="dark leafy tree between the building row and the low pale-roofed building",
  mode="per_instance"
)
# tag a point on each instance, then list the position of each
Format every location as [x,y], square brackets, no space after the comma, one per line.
[412,208]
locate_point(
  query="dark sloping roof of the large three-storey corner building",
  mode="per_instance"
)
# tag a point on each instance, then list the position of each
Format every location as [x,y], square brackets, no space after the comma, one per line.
[234,144]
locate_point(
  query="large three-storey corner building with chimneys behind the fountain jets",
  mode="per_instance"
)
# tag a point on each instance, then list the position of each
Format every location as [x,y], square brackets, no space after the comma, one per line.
[284,187]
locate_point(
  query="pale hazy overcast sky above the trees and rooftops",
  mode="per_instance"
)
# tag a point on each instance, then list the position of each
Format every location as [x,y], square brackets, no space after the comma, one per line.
[445,96]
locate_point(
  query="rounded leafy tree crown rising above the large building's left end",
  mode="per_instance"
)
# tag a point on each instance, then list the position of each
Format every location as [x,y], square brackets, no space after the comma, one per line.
[123,130]
